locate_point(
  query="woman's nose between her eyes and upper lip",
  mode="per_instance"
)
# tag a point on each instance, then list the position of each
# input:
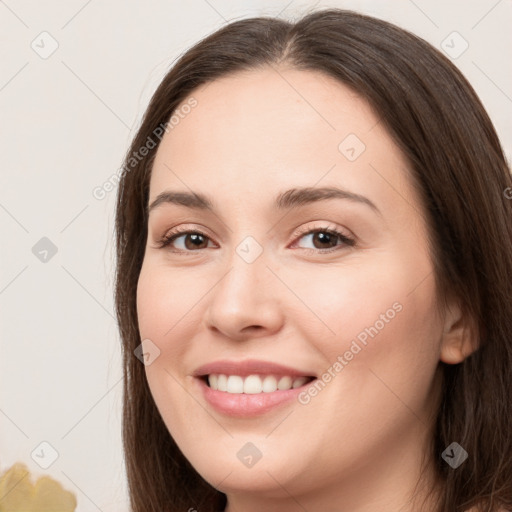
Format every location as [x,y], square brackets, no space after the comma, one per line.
[245,303]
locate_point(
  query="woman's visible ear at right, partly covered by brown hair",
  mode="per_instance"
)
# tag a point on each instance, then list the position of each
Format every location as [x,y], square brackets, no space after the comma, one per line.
[459,338]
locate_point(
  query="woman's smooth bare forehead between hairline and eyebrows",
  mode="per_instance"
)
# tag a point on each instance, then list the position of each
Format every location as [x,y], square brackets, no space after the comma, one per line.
[279,127]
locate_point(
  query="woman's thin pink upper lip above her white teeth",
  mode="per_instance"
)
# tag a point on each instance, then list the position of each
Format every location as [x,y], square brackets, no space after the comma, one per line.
[249,367]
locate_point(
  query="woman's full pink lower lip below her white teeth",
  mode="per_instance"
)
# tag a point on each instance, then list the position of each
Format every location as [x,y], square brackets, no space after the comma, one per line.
[247,405]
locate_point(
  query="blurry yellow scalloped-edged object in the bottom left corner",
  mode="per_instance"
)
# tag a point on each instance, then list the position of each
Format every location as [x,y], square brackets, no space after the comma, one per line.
[18,494]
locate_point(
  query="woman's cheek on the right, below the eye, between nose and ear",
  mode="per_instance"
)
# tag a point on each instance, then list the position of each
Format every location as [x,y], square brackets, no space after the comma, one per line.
[381,313]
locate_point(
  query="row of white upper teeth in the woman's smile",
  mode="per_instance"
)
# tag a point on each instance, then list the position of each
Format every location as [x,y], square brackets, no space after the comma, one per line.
[254,384]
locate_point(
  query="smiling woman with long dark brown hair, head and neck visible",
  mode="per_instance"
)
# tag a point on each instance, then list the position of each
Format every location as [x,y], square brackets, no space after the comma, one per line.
[314,241]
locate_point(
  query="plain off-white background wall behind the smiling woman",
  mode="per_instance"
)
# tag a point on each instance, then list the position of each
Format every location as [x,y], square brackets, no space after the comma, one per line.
[65,124]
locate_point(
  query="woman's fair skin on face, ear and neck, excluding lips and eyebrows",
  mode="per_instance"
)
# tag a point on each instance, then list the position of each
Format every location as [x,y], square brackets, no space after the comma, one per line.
[357,445]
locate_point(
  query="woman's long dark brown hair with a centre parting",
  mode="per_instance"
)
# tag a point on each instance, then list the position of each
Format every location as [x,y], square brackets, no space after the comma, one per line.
[457,165]
